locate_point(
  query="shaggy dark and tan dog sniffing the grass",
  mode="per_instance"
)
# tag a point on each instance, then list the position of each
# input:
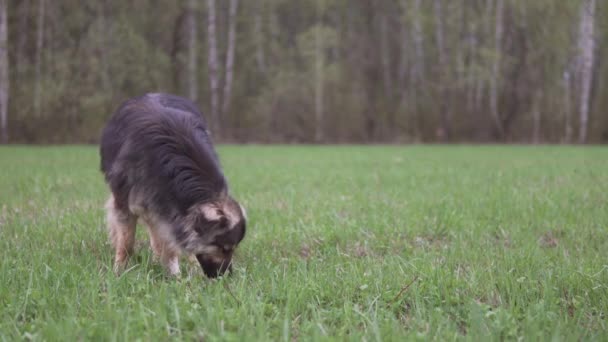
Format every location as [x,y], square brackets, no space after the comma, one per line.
[159,162]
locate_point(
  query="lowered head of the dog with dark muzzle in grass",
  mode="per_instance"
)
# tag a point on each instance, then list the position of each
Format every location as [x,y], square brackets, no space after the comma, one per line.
[221,225]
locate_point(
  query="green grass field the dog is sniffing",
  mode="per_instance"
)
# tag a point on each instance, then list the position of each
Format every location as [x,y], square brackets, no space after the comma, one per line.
[374,243]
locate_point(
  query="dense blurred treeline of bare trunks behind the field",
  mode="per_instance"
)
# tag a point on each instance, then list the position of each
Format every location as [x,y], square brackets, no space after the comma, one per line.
[313,70]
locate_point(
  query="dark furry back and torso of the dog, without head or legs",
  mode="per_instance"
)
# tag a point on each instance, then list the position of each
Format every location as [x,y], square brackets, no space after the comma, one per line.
[159,144]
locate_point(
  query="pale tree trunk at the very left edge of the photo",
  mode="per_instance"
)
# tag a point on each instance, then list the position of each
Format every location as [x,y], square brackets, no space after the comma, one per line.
[4,79]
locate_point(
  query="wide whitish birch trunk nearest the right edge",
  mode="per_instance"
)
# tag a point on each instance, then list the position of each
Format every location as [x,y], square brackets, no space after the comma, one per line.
[586,47]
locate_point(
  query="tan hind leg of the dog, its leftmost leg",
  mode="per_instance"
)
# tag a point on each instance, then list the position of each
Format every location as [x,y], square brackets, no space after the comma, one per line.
[121,227]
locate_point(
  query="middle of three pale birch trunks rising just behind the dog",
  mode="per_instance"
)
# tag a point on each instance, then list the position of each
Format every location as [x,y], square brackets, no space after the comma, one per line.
[213,68]
